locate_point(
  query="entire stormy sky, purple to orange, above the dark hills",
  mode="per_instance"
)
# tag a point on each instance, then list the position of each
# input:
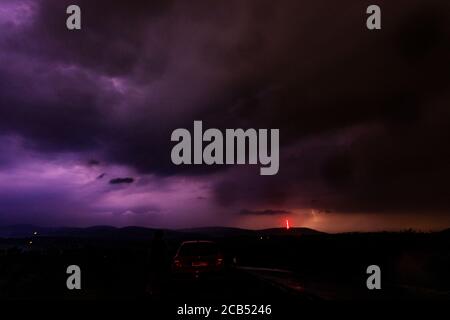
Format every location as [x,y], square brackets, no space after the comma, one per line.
[364,116]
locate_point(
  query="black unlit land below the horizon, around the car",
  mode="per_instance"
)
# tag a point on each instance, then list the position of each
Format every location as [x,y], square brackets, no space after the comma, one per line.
[272,267]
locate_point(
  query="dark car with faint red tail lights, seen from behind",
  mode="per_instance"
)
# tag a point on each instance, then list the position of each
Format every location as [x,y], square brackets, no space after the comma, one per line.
[198,257]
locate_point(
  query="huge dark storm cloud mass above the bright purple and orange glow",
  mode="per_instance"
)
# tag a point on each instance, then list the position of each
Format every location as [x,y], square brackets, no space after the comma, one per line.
[363,116]
